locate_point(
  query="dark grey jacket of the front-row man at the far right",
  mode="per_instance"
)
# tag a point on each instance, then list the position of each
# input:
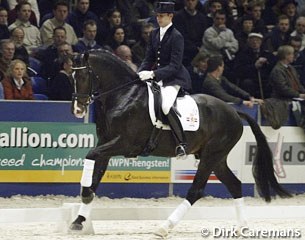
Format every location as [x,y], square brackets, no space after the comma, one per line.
[281,84]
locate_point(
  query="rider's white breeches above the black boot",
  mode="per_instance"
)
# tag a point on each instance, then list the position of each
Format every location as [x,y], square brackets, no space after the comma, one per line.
[169,95]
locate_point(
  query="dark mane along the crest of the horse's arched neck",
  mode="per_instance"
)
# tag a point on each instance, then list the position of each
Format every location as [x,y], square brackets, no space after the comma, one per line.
[118,64]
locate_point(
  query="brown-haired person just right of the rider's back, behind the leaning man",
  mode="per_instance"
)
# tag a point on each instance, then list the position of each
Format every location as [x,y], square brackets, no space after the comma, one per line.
[198,72]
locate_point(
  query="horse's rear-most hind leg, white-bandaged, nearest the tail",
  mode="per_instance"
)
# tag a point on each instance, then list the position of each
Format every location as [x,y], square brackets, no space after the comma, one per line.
[233,184]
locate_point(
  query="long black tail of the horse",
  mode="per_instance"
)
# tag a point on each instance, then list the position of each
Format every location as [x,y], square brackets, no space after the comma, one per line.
[262,169]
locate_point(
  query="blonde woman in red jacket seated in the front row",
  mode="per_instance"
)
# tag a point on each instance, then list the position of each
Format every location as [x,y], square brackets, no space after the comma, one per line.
[17,86]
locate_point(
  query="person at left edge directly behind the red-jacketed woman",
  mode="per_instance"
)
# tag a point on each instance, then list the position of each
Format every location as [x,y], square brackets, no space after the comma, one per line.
[7,51]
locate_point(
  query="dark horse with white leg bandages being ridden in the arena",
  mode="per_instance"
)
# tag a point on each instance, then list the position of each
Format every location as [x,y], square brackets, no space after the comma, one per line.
[124,127]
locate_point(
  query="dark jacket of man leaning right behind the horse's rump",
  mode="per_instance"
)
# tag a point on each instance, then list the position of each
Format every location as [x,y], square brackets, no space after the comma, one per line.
[224,90]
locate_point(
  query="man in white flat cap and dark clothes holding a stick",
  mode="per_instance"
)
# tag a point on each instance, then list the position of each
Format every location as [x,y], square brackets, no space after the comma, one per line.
[253,65]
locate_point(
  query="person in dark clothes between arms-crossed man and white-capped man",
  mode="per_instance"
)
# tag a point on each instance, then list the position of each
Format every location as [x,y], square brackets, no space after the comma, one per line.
[242,34]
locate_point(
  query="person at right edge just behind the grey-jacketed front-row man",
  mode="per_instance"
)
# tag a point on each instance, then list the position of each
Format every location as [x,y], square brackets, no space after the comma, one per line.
[299,58]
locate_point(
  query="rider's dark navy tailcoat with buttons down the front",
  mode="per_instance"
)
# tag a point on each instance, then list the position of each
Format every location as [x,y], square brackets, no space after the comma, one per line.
[165,58]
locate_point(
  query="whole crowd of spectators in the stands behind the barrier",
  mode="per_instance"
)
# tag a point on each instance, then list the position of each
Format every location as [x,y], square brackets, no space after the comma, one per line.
[240,39]
